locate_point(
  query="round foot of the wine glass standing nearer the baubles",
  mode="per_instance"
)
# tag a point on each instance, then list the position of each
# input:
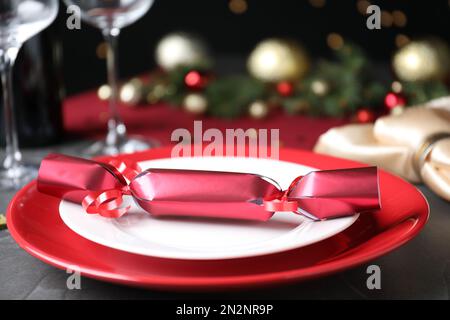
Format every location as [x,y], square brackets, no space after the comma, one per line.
[130,145]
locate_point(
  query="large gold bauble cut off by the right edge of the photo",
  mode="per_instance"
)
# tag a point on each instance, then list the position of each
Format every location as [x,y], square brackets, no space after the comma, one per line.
[422,60]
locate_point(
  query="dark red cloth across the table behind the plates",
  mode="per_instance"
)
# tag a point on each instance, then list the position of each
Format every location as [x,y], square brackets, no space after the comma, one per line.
[86,116]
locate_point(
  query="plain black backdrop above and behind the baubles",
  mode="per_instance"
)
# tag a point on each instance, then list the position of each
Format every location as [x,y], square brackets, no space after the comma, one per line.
[234,35]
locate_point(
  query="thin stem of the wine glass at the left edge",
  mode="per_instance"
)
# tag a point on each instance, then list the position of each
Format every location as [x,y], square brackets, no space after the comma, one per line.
[13,156]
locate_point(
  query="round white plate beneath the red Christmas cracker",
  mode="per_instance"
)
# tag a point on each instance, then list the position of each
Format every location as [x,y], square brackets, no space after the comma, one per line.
[184,238]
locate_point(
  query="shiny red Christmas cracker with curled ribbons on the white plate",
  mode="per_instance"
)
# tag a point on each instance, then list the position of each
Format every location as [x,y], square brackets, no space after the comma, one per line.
[172,192]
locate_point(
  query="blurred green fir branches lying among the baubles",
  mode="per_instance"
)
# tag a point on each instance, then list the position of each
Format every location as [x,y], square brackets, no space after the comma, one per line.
[349,80]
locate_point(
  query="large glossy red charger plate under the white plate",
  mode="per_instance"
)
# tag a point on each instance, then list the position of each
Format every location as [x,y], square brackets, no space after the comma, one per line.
[34,222]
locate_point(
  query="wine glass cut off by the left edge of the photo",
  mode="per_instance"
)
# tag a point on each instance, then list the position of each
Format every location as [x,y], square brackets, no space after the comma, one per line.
[19,21]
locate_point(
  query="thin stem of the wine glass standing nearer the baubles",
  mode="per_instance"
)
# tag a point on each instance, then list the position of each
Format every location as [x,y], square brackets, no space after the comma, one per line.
[116,128]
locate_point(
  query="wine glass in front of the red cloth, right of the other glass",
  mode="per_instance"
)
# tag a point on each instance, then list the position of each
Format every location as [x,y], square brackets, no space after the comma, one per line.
[110,16]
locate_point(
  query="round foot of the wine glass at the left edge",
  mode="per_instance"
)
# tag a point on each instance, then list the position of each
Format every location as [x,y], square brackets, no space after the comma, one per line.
[15,178]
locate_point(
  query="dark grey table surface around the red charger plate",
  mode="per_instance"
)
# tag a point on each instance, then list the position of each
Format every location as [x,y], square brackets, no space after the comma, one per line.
[418,270]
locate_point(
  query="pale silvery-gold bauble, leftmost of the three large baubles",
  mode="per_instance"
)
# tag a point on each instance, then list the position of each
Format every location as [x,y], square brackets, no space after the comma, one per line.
[181,49]
